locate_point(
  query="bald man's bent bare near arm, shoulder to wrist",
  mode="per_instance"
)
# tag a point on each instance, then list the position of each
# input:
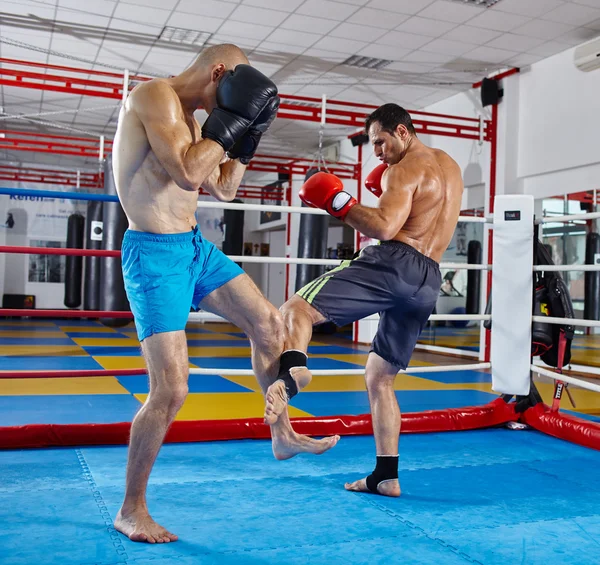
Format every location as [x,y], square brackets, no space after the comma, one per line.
[189,164]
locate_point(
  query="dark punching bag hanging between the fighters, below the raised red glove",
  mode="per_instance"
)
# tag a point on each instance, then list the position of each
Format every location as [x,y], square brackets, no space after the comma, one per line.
[312,243]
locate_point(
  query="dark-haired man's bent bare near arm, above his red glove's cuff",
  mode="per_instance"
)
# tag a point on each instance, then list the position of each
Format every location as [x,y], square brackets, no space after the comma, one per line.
[393,208]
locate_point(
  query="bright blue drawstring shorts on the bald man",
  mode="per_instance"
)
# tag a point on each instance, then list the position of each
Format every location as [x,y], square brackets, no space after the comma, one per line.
[168,274]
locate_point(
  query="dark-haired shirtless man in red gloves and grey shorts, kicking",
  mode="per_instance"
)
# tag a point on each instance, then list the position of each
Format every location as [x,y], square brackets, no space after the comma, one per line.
[420,191]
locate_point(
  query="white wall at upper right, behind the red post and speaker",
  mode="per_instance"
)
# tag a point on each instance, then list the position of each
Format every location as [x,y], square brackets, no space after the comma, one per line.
[549,121]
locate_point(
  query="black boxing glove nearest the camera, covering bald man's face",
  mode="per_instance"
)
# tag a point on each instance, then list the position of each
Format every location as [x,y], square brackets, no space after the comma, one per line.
[242,95]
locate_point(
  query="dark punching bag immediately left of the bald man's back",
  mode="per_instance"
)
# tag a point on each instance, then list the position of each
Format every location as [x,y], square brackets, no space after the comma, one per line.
[112,288]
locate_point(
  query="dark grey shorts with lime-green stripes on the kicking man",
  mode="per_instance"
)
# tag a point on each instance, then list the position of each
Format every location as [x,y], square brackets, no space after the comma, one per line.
[393,279]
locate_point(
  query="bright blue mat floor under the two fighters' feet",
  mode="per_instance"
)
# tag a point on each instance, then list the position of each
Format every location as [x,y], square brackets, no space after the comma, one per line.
[486,496]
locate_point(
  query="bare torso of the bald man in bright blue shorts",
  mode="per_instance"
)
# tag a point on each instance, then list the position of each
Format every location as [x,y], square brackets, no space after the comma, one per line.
[151,199]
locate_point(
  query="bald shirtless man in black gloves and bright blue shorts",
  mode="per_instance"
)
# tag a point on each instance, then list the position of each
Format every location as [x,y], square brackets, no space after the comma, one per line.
[161,158]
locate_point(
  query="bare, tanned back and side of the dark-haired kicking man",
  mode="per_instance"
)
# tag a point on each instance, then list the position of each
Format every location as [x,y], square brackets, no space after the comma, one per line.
[436,202]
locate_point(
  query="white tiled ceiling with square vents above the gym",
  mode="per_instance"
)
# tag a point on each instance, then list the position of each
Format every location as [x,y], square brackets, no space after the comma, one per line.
[436,48]
